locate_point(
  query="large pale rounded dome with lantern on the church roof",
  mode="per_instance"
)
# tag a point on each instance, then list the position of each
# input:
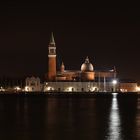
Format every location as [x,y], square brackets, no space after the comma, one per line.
[87,66]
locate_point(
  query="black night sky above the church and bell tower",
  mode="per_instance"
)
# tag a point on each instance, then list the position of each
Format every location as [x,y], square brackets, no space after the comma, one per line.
[110,36]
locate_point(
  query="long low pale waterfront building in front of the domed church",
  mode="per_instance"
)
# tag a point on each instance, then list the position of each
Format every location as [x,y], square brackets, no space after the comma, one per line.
[79,87]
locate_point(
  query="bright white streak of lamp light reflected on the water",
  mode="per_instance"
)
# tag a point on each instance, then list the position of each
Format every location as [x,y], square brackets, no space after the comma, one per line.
[114,132]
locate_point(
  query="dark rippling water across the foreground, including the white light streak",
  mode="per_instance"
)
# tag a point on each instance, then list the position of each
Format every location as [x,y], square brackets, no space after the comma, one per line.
[53,118]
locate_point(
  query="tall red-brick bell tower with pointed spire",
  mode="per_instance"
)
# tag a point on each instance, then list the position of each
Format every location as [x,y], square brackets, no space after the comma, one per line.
[52,59]
